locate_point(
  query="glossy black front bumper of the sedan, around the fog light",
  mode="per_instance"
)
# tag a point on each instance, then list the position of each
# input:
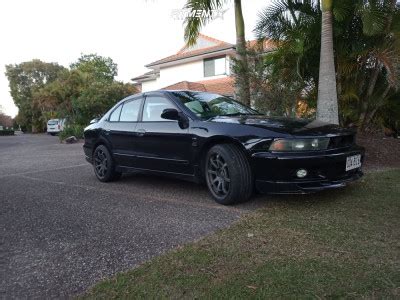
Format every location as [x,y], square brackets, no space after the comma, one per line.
[276,172]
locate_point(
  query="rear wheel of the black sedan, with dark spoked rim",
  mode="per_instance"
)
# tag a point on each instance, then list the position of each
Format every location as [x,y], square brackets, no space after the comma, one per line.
[103,165]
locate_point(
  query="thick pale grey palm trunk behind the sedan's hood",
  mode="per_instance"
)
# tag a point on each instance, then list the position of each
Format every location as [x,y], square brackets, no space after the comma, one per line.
[327,105]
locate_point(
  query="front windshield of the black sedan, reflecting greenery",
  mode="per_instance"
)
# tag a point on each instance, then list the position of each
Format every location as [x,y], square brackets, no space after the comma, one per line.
[208,105]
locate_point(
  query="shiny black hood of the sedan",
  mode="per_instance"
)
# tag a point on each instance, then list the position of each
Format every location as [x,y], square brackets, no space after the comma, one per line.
[300,127]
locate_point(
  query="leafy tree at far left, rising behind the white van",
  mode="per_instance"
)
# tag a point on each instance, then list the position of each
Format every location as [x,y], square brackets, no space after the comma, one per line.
[24,80]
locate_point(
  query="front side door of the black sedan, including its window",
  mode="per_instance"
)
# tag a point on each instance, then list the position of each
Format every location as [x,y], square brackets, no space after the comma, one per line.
[162,145]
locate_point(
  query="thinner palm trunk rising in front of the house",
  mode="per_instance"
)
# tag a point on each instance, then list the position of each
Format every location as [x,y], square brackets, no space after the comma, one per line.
[242,85]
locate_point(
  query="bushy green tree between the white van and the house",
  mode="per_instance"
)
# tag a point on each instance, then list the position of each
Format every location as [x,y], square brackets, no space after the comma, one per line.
[84,92]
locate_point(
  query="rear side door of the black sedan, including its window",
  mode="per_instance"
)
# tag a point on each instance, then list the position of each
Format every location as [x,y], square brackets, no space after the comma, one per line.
[120,131]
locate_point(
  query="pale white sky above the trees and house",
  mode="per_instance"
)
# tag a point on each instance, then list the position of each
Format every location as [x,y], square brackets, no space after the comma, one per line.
[131,32]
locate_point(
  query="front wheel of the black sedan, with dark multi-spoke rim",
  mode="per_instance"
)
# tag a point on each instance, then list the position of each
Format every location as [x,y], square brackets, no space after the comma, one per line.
[228,174]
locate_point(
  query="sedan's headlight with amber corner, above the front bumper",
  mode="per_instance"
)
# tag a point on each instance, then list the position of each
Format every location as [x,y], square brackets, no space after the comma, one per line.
[299,144]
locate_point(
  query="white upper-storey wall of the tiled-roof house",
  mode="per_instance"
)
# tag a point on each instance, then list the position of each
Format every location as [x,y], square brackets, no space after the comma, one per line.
[189,71]
